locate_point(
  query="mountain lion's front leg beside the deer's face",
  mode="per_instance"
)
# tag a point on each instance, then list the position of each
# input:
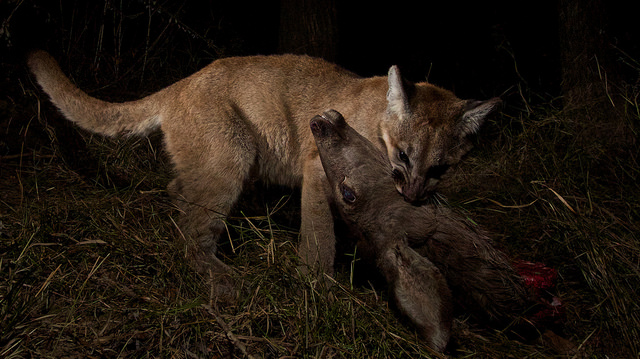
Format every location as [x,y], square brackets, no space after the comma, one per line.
[317,239]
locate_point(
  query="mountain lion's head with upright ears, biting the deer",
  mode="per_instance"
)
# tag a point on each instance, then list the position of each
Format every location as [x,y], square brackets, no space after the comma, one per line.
[426,131]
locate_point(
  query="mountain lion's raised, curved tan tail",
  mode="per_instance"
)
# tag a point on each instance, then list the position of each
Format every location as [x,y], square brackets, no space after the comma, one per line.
[133,117]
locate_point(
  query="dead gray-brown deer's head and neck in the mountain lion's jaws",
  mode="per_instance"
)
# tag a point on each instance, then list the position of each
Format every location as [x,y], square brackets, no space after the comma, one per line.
[480,277]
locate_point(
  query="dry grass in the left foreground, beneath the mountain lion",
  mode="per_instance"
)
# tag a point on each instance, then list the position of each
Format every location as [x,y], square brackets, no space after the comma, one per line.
[92,270]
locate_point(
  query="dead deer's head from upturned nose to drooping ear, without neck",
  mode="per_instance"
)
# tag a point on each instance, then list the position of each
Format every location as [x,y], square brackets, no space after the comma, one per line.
[416,285]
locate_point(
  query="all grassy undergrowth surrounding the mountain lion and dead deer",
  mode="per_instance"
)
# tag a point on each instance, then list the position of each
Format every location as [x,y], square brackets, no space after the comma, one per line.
[91,263]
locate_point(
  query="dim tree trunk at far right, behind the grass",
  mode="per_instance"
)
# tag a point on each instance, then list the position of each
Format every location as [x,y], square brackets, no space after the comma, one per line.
[589,74]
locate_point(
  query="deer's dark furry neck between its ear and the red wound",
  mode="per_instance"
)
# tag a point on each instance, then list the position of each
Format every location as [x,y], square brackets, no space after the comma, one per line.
[481,278]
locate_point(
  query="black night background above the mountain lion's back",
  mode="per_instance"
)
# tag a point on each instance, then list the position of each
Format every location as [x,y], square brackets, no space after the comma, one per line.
[477,49]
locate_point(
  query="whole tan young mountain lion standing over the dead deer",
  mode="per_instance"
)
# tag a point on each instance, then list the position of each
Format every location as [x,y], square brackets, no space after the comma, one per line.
[246,116]
